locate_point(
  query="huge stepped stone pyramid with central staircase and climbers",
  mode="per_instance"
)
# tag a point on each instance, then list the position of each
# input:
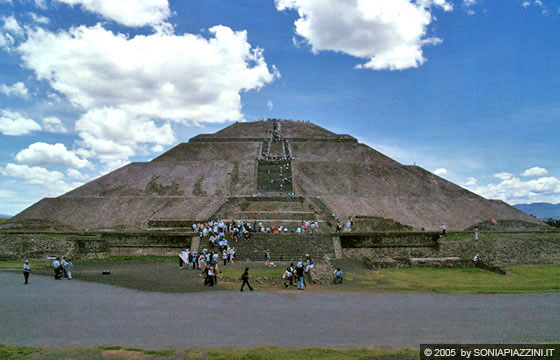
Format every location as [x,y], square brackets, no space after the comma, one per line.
[274,171]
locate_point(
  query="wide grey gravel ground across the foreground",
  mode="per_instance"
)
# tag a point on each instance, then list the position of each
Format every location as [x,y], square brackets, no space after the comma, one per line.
[52,313]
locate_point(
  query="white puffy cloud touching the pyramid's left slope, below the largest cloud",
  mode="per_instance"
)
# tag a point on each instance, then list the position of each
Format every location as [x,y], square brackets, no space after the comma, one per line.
[113,135]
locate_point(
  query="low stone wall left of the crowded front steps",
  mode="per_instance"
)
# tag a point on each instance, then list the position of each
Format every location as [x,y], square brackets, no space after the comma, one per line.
[18,245]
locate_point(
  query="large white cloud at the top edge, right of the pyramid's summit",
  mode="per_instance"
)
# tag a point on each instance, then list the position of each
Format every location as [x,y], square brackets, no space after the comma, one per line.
[390,34]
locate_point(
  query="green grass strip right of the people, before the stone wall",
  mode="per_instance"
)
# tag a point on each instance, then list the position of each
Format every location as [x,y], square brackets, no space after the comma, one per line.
[524,279]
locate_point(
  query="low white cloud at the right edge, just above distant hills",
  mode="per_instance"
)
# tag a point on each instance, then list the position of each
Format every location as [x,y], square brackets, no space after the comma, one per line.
[514,190]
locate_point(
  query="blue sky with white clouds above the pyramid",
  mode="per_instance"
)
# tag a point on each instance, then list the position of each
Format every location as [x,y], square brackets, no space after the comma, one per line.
[467,89]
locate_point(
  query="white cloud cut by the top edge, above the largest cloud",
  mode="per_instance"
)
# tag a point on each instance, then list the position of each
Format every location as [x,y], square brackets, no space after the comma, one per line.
[132,13]
